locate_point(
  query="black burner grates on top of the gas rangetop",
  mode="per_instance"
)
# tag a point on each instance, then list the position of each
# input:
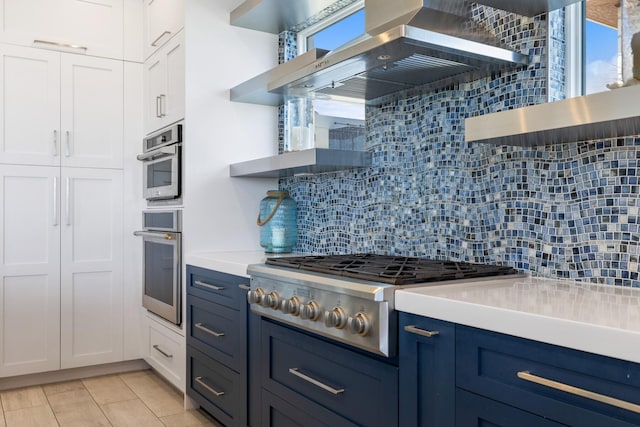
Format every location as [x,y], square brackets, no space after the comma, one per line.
[390,269]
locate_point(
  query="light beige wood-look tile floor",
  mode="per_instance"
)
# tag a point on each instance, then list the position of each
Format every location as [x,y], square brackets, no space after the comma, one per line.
[136,399]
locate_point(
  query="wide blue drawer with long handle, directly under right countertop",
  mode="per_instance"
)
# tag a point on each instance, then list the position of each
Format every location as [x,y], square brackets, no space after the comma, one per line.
[517,372]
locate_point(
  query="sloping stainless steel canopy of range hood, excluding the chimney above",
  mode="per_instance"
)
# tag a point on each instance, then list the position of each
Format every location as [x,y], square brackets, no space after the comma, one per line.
[398,59]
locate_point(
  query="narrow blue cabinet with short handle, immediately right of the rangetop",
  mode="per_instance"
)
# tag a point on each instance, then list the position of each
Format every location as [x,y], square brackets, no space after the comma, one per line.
[427,371]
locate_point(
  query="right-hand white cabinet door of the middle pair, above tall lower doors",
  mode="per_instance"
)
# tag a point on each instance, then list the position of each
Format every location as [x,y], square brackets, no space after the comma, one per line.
[92,112]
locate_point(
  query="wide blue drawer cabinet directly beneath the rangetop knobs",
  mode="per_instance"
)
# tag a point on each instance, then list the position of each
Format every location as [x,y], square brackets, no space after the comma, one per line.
[307,380]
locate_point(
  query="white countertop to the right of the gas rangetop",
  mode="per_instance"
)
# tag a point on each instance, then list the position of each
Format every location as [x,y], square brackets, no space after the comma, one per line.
[600,319]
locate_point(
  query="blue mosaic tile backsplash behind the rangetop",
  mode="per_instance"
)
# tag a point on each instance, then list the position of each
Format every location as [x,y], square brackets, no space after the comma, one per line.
[568,211]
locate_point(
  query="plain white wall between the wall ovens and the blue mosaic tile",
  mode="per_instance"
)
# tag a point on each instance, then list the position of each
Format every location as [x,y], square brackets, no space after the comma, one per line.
[220,212]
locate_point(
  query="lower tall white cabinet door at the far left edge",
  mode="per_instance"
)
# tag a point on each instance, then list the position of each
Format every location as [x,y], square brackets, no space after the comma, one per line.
[29,270]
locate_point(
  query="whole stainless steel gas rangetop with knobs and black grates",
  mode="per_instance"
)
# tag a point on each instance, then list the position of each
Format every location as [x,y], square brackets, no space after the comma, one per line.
[350,298]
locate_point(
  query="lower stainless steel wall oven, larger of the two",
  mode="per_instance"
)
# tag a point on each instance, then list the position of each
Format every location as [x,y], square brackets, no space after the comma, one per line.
[162,260]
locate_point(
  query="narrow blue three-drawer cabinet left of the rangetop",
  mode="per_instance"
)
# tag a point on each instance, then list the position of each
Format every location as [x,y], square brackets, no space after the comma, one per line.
[217,344]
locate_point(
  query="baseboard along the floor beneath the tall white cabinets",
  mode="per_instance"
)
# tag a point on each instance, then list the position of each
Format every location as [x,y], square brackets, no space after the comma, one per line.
[72,374]
